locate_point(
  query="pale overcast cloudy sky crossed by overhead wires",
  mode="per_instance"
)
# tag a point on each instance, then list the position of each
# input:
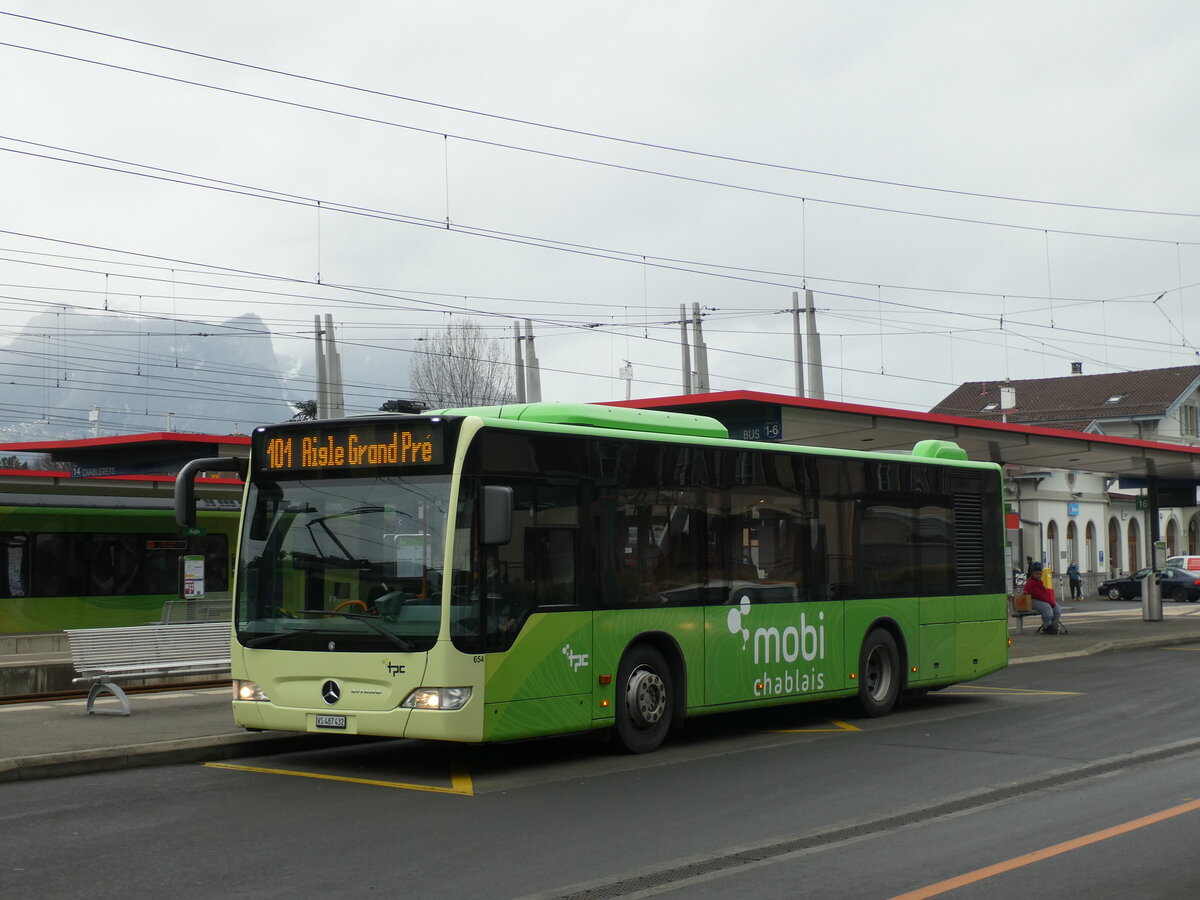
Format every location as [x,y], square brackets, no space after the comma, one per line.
[974,191]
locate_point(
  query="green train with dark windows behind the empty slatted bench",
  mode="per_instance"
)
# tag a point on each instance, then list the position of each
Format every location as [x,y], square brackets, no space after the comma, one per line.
[79,561]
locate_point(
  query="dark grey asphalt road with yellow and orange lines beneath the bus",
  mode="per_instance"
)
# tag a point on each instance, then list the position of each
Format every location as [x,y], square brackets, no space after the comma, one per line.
[1093,758]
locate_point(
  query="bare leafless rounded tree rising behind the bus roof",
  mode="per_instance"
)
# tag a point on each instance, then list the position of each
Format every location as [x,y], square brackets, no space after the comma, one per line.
[461,367]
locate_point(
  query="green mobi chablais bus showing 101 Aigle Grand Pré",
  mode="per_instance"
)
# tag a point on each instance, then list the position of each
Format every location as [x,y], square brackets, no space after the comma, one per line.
[506,573]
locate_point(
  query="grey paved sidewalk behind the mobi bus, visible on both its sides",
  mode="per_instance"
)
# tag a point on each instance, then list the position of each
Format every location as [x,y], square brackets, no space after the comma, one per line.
[46,740]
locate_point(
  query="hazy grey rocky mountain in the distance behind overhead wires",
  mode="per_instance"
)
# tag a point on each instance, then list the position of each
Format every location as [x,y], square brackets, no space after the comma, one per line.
[71,375]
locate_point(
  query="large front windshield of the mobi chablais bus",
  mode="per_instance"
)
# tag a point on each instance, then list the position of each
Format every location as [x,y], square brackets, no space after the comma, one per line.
[347,565]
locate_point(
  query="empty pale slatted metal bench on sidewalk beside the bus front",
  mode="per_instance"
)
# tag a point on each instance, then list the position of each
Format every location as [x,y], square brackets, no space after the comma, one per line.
[103,656]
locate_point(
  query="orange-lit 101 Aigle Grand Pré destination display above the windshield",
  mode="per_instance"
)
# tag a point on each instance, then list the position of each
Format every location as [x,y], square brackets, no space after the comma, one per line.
[344,448]
